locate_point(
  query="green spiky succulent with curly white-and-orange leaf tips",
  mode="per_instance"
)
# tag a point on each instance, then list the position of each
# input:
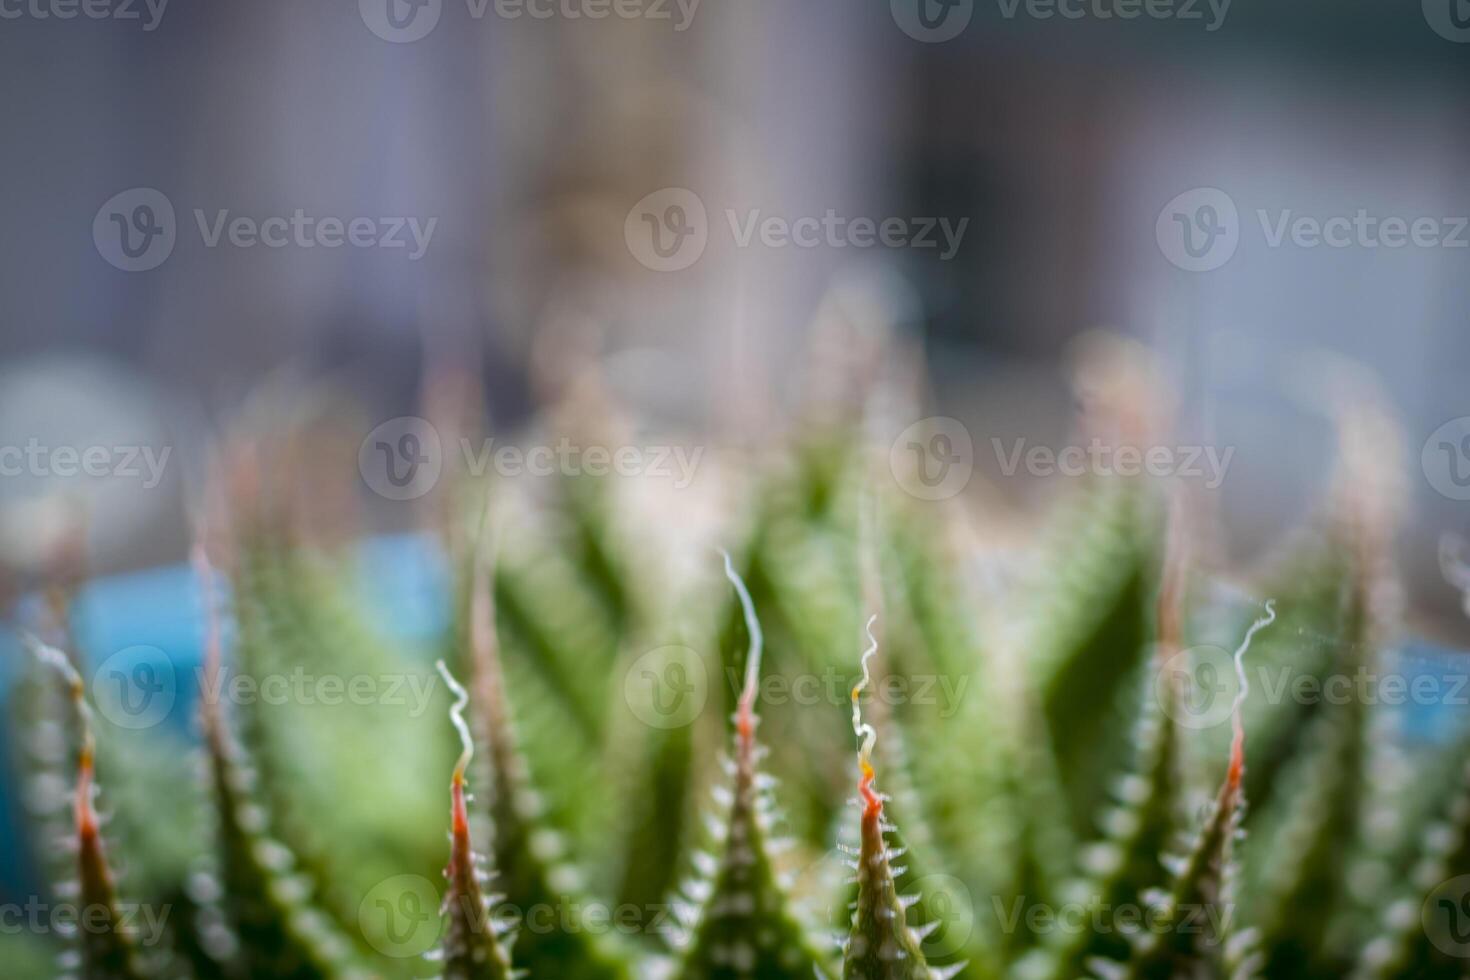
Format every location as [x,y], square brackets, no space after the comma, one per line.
[1039,788]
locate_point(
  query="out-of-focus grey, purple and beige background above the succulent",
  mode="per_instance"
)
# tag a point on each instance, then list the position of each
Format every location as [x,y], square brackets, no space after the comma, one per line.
[1064,142]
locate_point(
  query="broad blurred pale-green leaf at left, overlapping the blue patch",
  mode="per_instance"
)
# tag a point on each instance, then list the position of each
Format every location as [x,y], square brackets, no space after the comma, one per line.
[305,653]
